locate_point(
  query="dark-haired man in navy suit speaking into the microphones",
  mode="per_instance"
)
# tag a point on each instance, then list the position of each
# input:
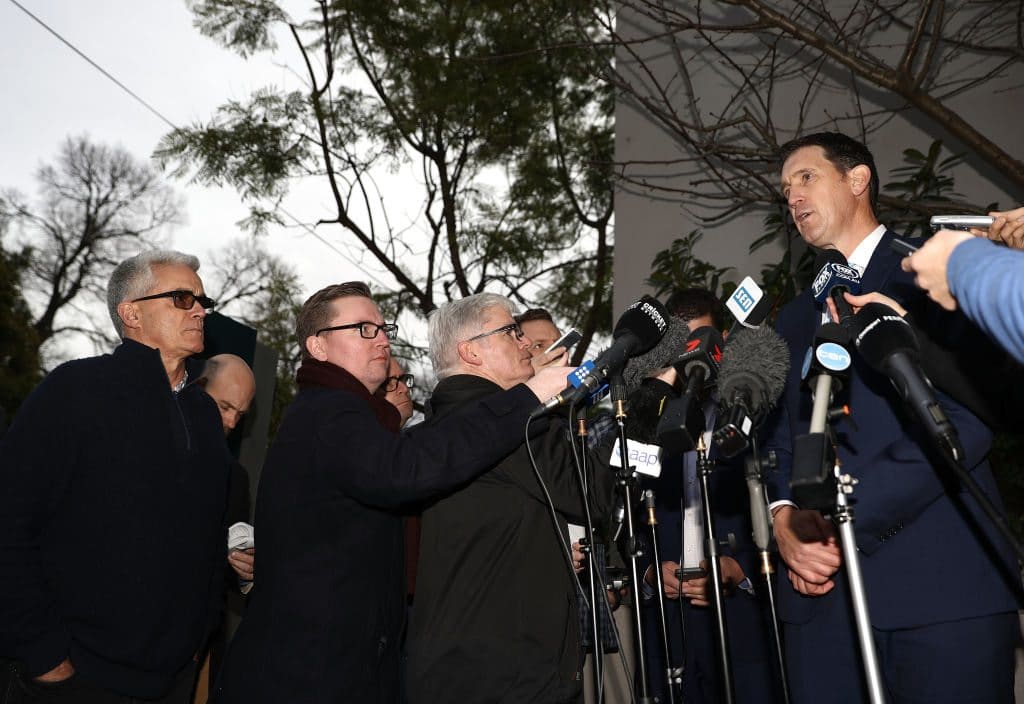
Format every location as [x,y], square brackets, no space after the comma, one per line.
[943,588]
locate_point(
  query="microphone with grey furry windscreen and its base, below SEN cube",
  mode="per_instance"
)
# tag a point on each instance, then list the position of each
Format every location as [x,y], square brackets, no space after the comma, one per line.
[751,380]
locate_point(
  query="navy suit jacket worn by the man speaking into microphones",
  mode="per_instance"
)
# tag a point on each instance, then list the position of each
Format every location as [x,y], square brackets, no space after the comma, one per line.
[928,553]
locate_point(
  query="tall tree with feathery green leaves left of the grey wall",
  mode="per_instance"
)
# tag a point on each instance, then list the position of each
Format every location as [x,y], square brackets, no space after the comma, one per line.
[495,108]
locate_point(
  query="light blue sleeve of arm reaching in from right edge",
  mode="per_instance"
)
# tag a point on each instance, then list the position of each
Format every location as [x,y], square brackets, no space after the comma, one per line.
[989,284]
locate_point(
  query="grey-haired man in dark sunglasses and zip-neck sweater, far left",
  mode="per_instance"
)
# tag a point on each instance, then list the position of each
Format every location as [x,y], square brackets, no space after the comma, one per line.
[115,480]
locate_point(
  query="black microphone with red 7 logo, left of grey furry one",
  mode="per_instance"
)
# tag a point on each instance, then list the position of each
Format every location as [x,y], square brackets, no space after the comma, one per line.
[684,420]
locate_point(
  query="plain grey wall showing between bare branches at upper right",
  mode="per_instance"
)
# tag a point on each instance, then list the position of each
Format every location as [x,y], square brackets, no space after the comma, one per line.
[648,222]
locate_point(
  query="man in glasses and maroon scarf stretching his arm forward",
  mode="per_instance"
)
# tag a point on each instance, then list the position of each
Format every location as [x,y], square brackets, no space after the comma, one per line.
[326,615]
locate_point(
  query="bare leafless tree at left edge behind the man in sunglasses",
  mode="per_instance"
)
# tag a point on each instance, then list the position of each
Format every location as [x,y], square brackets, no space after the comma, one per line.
[96,206]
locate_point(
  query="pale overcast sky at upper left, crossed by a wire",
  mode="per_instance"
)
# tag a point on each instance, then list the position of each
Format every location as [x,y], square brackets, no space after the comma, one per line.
[151,47]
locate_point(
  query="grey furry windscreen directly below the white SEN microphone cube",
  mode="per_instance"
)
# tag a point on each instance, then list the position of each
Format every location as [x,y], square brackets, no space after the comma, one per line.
[757,360]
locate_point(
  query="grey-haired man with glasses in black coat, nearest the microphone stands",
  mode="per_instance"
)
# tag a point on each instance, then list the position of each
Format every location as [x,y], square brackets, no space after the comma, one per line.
[496,615]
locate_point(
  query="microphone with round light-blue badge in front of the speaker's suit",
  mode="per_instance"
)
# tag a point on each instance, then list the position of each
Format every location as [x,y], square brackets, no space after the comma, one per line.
[826,367]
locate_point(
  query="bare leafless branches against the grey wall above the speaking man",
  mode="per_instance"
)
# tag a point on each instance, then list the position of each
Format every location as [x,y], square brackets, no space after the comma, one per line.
[799,66]
